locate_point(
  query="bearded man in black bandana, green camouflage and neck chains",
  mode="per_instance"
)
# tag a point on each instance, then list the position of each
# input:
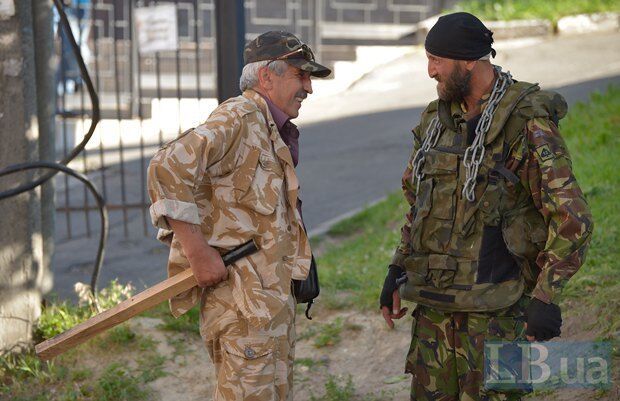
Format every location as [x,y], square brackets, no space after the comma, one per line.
[497,225]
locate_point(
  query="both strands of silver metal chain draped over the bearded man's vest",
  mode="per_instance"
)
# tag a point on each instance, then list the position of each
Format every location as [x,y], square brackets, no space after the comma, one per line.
[474,153]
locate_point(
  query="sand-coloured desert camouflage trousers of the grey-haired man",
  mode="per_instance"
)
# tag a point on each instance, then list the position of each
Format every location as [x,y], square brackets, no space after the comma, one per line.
[251,364]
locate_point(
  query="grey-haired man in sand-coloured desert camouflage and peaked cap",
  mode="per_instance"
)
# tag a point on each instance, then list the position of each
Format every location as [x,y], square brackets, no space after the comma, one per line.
[223,183]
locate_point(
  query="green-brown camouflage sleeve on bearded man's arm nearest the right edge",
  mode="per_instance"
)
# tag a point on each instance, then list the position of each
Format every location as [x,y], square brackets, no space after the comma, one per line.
[557,196]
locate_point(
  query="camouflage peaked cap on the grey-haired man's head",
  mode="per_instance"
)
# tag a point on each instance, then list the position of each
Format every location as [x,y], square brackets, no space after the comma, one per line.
[280,45]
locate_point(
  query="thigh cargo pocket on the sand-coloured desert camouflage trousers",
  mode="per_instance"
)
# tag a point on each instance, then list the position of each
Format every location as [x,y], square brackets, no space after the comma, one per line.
[249,366]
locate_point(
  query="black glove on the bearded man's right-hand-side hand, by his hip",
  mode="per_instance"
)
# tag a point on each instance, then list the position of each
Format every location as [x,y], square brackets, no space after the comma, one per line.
[543,320]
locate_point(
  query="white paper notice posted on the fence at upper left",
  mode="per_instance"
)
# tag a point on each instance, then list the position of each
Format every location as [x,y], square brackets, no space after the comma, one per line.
[157,28]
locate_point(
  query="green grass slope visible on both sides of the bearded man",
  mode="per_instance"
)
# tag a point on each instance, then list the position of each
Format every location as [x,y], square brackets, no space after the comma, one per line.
[352,269]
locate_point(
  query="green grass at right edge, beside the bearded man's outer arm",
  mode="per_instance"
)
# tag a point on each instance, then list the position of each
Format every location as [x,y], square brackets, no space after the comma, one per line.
[591,133]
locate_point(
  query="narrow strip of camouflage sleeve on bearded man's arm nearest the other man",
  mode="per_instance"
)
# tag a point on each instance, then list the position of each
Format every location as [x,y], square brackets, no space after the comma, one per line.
[409,190]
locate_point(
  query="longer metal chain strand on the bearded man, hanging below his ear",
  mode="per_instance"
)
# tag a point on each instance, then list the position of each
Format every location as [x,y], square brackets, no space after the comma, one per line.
[475,152]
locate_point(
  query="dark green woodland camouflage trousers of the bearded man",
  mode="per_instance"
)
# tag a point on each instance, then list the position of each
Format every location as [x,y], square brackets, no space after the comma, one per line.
[446,355]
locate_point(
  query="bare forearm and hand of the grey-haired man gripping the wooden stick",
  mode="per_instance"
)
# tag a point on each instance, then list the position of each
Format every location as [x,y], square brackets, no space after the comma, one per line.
[206,262]
